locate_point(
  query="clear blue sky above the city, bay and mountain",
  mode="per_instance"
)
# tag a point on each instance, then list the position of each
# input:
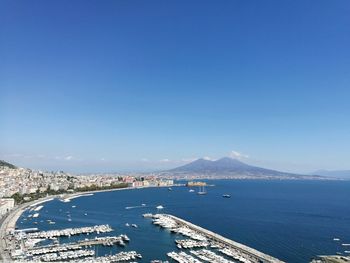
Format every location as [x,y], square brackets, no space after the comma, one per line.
[140,85]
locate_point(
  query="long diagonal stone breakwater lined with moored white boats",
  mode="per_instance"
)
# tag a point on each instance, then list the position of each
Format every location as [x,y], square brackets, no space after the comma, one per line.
[204,238]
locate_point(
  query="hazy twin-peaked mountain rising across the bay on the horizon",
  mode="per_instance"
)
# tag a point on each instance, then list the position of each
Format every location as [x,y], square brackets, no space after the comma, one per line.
[228,167]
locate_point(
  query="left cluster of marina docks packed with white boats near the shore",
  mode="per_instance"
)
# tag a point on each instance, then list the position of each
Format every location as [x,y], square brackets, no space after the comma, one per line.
[28,244]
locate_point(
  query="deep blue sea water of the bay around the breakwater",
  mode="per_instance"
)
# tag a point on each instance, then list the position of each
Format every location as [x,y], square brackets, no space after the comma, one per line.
[291,220]
